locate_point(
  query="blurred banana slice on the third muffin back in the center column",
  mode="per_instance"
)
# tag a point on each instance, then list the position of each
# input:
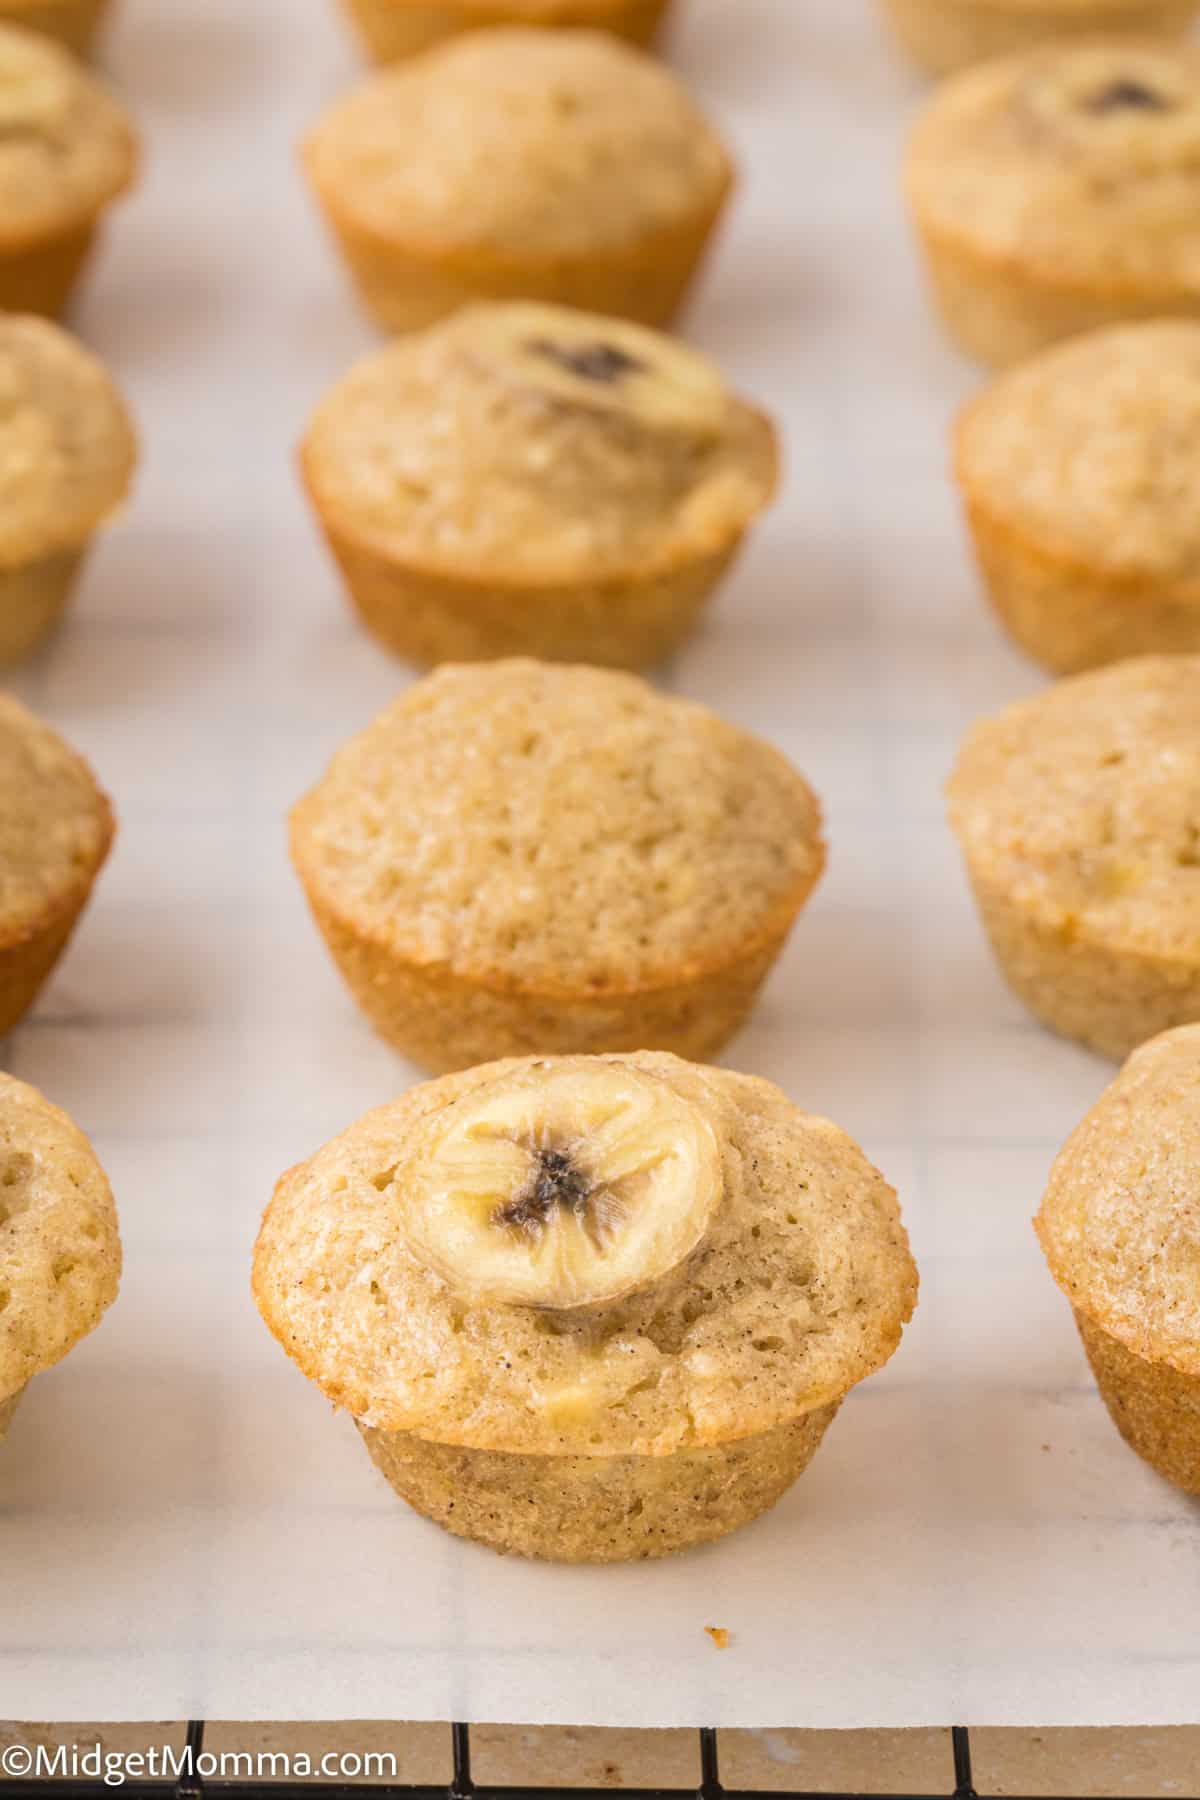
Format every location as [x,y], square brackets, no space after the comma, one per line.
[598,364]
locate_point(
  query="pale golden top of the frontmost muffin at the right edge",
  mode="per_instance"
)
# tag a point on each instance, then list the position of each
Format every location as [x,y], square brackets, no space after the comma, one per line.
[1120,1223]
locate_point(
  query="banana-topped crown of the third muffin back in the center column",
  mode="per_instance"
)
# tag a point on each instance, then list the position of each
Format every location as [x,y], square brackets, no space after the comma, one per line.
[533,444]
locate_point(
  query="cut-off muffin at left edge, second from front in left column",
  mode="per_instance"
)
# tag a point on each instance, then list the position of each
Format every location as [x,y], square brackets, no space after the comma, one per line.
[55,832]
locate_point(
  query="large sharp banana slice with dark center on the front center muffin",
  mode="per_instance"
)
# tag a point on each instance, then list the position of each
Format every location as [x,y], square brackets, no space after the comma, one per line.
[568,1185]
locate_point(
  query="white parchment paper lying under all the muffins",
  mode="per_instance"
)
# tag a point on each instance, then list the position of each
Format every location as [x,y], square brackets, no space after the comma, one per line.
[186,1529]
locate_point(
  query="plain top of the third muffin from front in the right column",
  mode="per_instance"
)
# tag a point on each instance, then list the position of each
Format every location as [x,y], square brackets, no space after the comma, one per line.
[1091,453]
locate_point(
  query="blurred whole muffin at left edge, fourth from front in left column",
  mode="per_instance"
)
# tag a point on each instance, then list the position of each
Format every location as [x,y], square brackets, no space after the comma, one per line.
[67,150]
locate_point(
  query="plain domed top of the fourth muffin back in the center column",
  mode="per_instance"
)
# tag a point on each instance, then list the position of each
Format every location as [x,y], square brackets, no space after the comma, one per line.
[521,141]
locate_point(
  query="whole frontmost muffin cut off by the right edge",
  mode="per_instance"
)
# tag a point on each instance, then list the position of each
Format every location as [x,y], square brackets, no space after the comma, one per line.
[1120,1227]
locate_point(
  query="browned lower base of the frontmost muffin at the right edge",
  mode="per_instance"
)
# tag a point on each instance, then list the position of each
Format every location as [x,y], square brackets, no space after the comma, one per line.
[1154,1407]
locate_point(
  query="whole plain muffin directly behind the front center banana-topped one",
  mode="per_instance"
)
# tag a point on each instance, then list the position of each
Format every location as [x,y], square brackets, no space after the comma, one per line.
[526,858]
